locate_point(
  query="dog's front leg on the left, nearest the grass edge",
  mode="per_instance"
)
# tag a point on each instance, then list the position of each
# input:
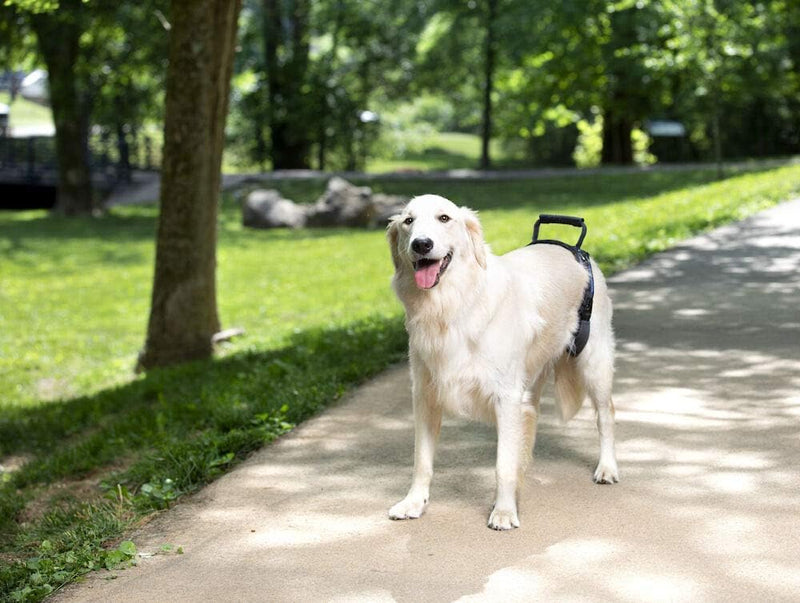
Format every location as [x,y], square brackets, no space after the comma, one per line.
[427,423]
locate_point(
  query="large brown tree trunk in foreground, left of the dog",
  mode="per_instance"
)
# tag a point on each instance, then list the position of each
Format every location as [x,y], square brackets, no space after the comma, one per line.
[183,315]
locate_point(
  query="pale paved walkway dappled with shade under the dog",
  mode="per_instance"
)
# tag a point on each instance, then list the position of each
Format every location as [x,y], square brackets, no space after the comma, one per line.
[708,509]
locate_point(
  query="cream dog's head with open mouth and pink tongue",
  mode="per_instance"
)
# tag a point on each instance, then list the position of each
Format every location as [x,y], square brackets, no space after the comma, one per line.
[430,234]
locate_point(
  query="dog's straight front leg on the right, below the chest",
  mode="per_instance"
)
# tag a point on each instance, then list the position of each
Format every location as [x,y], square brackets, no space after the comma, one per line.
[510,436]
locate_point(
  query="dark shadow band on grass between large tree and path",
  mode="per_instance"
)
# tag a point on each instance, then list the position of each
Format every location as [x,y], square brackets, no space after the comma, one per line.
[172,419]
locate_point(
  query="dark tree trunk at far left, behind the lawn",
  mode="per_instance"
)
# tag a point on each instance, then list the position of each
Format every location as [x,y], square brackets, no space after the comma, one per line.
[58,37]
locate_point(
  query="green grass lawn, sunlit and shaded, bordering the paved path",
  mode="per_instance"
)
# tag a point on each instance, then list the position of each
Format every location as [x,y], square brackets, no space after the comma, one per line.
[89,449]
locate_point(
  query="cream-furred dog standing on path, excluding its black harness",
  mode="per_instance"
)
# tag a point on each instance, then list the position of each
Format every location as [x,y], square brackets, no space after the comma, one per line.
[484,338]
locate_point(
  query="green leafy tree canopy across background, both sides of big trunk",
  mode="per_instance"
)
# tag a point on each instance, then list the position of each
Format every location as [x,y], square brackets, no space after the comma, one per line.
[317,84]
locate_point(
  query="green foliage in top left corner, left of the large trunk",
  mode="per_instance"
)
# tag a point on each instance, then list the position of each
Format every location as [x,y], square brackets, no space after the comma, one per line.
[115,77]
